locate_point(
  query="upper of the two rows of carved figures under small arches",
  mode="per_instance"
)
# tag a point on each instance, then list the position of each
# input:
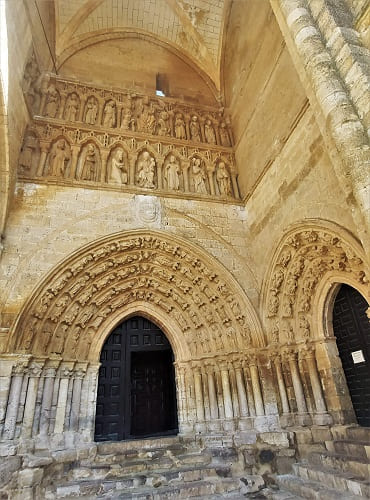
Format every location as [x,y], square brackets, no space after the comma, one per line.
[134,113]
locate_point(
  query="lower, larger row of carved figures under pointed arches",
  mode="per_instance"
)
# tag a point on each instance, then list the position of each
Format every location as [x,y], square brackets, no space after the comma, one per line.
[126,163]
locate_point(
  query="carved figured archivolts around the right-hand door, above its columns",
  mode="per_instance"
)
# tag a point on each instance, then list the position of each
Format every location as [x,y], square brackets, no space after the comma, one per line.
[307,257]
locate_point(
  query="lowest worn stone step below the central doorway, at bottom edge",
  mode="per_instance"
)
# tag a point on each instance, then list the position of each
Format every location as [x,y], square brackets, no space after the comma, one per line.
[119,489]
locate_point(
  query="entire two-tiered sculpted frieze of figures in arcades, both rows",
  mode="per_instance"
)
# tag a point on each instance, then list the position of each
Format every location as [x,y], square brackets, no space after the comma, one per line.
[83,134]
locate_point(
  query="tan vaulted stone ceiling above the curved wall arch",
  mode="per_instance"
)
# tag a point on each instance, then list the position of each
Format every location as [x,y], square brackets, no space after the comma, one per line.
[192,28]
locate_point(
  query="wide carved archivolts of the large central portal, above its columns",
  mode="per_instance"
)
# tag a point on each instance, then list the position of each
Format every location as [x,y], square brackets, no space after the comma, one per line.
[72,307]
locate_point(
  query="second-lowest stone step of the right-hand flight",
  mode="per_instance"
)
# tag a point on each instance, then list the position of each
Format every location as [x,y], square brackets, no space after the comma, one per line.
[341,481]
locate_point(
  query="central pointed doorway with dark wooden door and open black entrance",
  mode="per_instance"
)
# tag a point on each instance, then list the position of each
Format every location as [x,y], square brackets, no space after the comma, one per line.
[136,388]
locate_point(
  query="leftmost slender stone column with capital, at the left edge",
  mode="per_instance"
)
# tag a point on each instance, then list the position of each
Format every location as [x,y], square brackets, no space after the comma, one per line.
[18,371]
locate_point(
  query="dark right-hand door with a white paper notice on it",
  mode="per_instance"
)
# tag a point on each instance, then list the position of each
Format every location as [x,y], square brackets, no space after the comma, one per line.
[352,330]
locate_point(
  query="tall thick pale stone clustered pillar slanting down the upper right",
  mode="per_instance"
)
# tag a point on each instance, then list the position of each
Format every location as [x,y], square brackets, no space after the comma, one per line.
[341,127]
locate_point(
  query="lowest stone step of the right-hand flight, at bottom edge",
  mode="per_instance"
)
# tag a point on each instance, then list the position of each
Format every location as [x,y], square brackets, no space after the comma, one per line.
[311,489]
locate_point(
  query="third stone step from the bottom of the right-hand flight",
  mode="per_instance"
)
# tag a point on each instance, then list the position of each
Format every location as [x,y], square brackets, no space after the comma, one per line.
[356,466]
